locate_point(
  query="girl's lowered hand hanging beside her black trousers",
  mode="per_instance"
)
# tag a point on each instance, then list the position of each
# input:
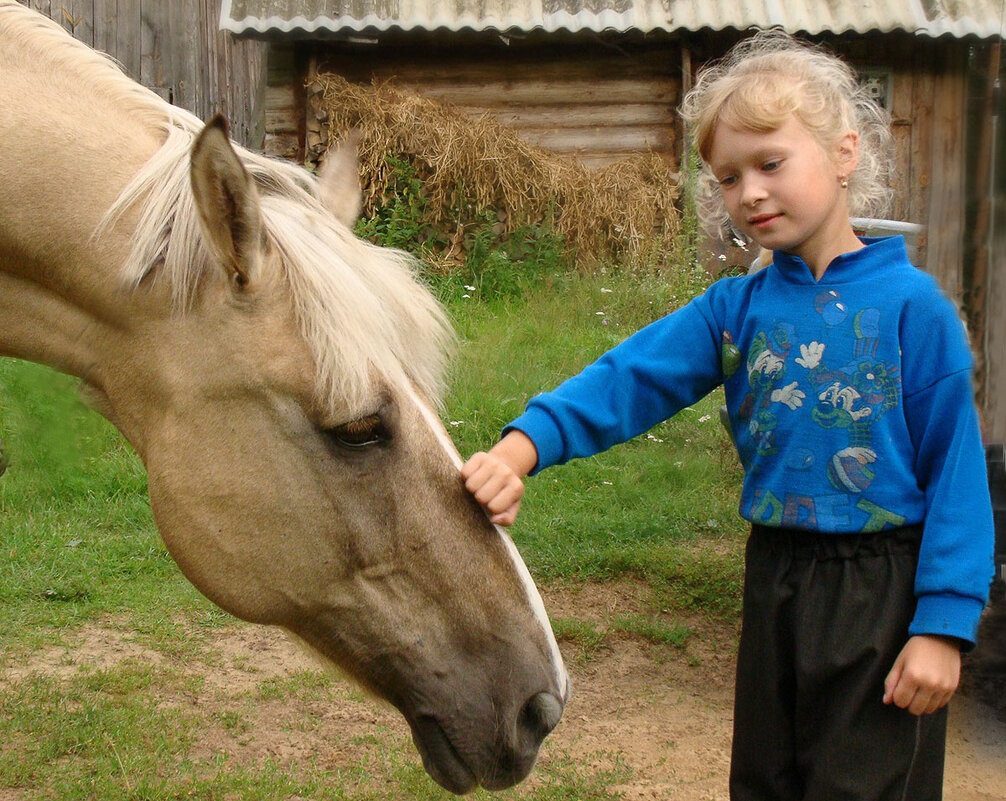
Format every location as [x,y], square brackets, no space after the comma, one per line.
[925,676]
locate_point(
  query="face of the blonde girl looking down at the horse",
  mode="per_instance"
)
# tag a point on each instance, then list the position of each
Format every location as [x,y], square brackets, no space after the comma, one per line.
[784,191]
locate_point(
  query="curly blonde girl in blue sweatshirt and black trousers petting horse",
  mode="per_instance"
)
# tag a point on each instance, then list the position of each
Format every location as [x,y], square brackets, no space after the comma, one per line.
[848,378]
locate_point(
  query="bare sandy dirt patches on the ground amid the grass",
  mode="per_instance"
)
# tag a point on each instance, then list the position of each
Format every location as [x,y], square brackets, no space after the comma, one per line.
[663,714]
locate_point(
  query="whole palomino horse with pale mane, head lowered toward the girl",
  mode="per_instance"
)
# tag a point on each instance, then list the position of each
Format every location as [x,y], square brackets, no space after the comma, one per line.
[277,377]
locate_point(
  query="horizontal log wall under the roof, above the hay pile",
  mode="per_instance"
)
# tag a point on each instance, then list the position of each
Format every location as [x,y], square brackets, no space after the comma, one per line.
[588,101]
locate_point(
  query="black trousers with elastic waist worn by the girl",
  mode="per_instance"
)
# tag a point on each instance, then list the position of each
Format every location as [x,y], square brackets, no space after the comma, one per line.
[824,619]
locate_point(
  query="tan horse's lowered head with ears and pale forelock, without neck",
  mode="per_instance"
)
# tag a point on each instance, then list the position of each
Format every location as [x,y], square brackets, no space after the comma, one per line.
[301,478]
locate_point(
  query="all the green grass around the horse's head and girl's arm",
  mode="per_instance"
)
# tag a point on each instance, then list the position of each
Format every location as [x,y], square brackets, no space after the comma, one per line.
[79,548]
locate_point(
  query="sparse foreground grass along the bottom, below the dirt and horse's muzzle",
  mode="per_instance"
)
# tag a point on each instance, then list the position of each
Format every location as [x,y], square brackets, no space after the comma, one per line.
[130,733]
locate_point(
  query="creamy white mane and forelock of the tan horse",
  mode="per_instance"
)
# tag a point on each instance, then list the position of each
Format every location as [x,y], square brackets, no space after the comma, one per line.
[361,308]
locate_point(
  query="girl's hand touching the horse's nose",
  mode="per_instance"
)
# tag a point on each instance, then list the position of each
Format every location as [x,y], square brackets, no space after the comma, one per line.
[496,478]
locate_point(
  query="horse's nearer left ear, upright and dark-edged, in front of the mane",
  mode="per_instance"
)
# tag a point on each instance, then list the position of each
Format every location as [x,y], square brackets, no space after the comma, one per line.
[228,203]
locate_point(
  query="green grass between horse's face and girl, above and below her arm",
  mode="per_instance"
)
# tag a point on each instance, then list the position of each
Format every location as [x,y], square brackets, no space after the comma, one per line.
[662,508]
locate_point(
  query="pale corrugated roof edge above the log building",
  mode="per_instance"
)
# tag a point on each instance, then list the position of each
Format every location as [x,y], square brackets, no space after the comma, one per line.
[982,19]
